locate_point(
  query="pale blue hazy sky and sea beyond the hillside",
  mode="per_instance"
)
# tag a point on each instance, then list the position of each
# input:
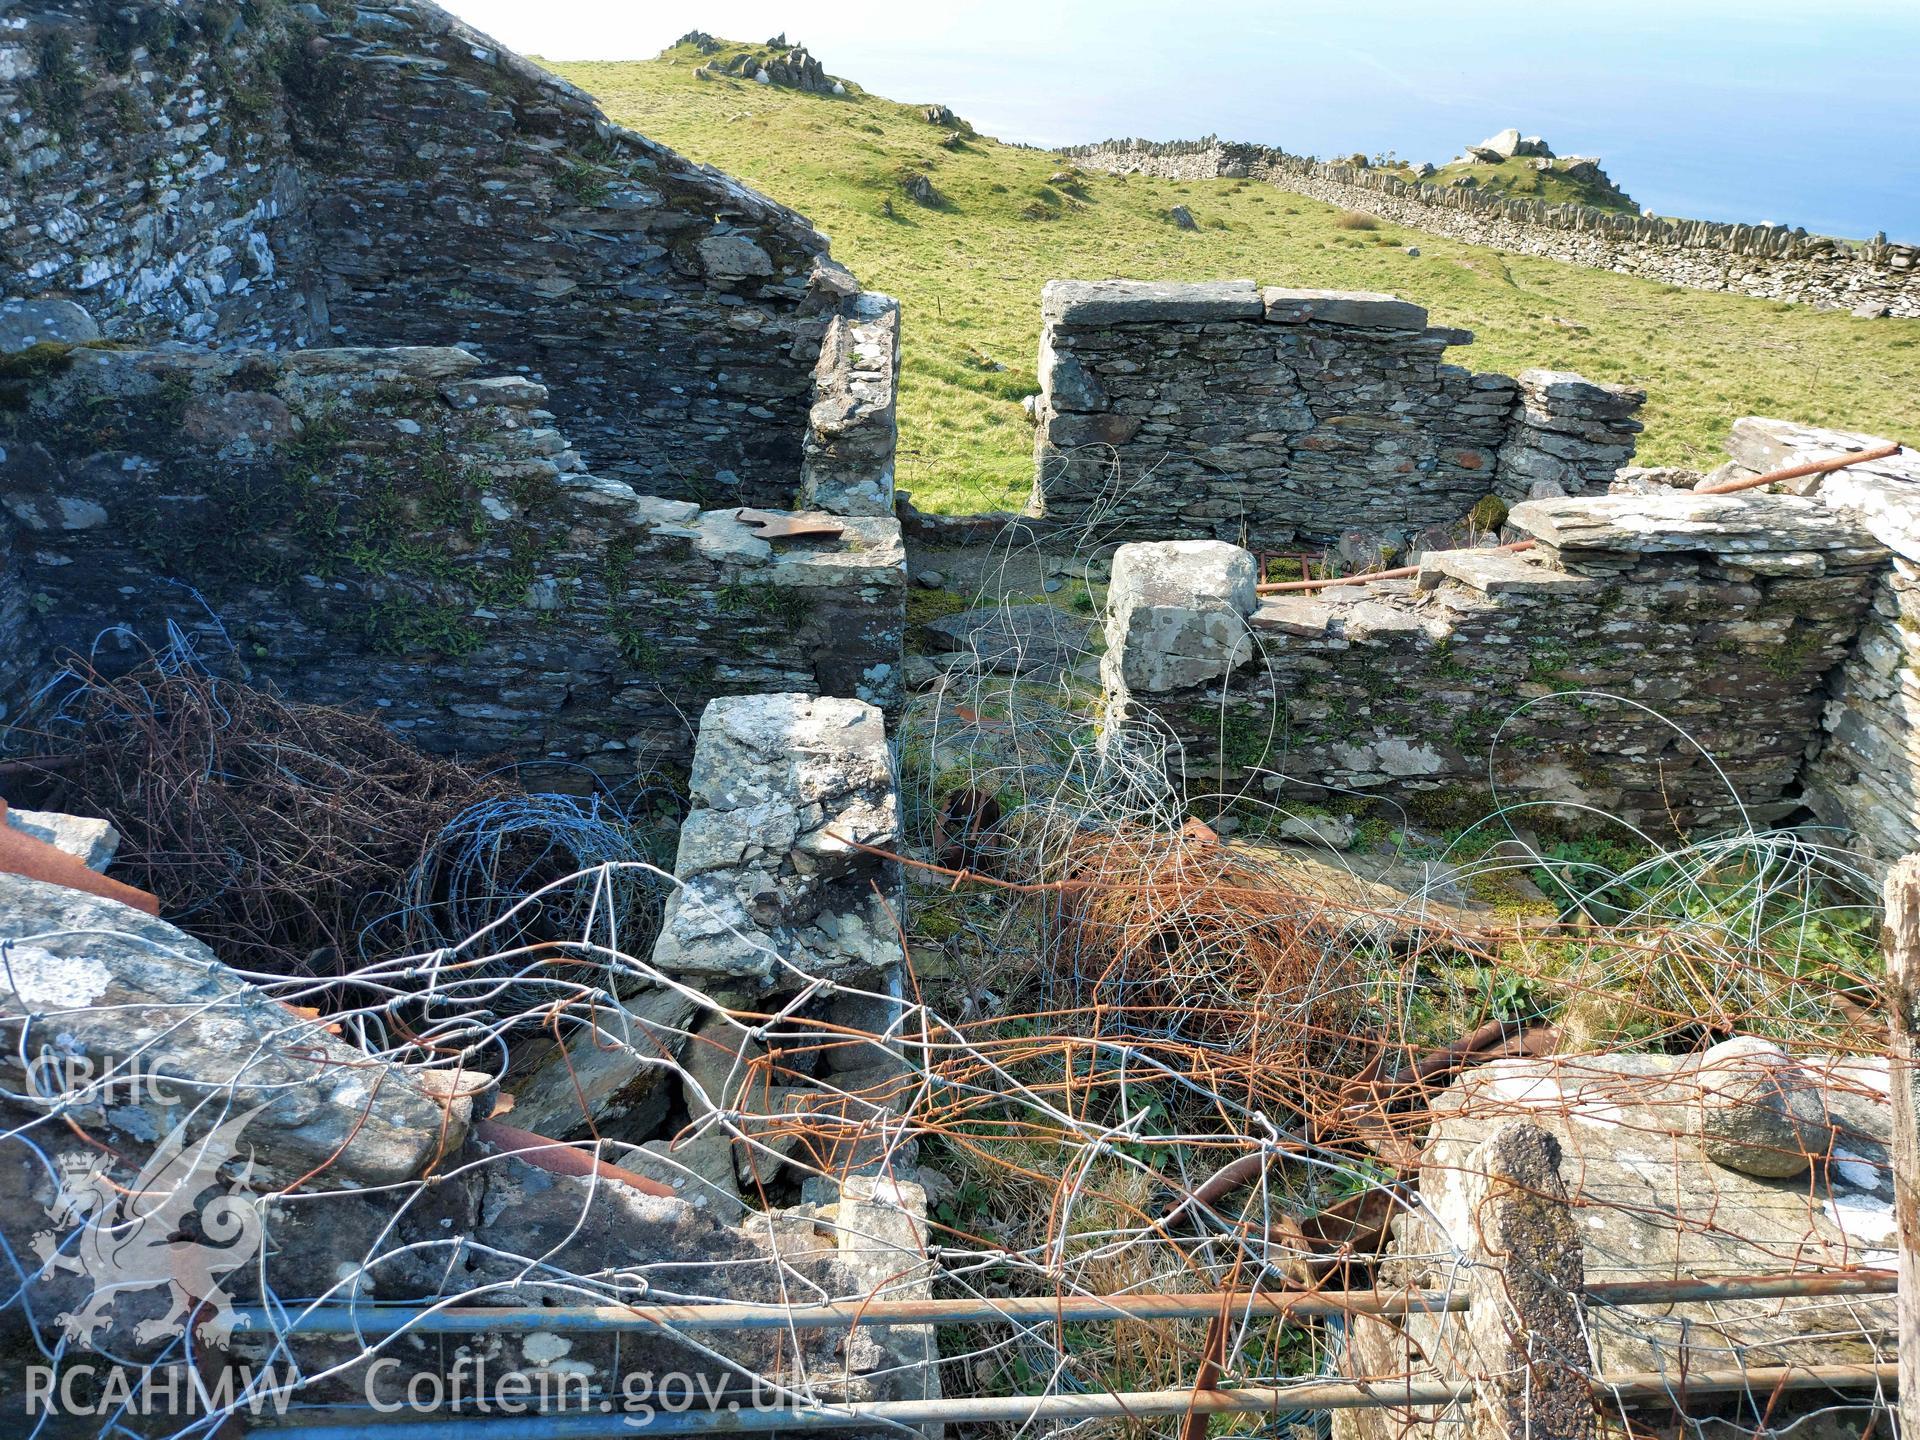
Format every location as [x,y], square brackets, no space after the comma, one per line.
[1800,114]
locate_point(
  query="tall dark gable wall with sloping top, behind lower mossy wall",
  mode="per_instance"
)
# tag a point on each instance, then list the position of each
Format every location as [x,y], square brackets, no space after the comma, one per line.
[379,174]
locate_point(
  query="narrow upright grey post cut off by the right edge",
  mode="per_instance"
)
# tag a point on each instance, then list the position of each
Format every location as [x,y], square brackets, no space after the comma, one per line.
[1904,1009]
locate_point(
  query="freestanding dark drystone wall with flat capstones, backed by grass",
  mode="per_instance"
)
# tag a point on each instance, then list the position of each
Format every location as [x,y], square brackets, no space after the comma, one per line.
[1287,416]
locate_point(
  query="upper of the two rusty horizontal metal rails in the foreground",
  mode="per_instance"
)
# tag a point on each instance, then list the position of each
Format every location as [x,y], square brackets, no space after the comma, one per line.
[504,1320]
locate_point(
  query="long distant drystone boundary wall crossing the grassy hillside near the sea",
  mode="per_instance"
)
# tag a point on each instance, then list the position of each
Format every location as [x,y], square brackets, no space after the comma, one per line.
[1746,260]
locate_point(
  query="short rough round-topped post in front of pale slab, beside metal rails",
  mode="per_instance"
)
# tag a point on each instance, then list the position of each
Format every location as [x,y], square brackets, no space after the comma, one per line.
[1525,1282]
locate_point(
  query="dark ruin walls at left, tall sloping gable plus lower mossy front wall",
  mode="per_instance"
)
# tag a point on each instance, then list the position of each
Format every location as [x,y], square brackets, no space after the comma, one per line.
[268,375]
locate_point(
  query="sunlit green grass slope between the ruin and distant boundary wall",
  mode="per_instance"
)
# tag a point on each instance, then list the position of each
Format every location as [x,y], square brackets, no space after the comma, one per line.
[969,272]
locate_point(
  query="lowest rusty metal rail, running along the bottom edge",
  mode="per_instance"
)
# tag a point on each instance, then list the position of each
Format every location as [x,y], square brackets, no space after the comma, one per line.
[1134,1404]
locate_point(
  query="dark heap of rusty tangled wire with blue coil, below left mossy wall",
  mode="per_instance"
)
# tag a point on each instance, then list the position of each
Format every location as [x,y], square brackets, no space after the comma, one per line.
[308,840]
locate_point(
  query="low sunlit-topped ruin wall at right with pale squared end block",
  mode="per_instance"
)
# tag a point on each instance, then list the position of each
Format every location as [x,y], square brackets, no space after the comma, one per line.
[1673,661]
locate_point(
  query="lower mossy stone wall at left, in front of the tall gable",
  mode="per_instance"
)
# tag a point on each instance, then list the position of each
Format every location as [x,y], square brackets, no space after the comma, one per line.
[398,529]
